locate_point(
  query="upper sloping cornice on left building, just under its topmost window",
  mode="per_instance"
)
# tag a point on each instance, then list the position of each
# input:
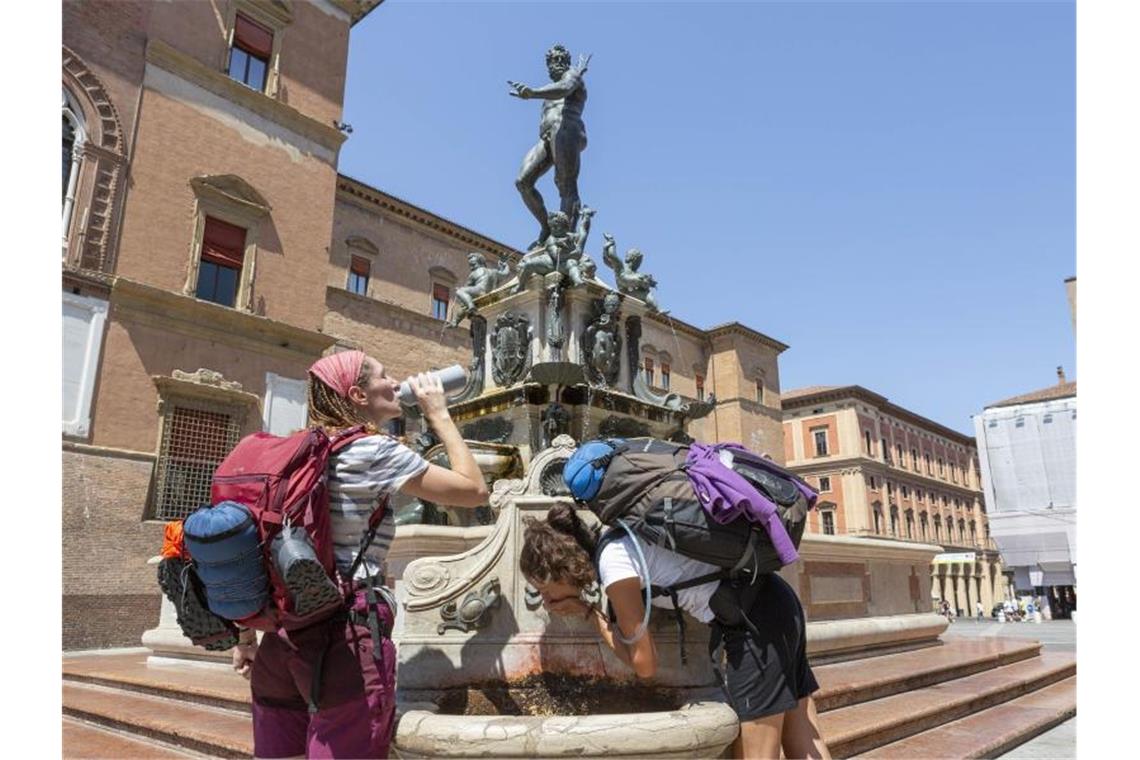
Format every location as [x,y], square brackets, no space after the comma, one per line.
[178,63]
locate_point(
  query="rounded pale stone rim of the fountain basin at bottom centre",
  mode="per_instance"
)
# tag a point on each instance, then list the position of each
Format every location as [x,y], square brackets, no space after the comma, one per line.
[703,728]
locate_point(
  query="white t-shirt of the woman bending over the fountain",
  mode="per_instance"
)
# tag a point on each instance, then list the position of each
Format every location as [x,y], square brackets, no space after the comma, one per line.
[620,561]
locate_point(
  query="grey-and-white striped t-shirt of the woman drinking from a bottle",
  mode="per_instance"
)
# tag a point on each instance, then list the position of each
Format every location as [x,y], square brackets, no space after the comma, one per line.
[359,476]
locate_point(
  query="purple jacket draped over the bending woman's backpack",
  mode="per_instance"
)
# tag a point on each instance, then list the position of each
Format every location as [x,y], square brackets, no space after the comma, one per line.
[727,495]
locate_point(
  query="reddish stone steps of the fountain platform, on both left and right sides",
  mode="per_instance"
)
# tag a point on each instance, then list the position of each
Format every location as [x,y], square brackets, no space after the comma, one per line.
[995,693]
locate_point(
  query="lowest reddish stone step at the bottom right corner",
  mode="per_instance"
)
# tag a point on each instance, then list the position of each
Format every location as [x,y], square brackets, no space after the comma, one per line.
[994,732]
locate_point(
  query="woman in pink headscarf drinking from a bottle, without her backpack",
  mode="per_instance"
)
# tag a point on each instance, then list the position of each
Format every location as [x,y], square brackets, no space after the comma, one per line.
[329,690]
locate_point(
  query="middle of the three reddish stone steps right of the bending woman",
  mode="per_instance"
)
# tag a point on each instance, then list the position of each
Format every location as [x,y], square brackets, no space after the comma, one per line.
[861,728]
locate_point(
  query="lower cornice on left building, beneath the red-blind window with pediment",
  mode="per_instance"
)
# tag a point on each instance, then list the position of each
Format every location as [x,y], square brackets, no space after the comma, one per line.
[215,322]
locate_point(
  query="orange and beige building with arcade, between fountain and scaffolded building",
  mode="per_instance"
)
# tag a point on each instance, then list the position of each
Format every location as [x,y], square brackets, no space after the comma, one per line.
[884,471]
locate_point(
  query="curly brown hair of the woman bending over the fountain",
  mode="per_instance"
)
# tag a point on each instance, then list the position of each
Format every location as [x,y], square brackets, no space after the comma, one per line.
[561,549]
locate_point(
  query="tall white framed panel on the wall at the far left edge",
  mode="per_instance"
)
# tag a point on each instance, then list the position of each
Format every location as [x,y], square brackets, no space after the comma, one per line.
[84,320]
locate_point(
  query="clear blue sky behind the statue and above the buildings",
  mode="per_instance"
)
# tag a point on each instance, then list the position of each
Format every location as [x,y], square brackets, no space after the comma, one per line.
[886,187]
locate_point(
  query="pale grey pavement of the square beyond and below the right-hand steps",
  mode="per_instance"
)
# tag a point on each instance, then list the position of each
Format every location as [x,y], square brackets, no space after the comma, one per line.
[1055,636]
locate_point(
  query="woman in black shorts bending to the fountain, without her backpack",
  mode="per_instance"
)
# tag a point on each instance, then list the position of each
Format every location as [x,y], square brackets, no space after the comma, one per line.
[769,682]
